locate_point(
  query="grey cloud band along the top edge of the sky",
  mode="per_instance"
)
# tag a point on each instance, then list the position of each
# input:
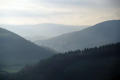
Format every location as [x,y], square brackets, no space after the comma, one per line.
[80,3]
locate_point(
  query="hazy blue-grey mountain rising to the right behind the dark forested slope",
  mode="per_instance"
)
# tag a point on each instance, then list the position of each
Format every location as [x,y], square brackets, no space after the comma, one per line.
[99,34]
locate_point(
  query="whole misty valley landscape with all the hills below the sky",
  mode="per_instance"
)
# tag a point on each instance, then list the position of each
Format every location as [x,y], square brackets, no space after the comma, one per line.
[60,52]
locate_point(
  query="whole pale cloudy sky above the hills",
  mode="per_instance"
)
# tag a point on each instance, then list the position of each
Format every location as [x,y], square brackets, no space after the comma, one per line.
[72,12]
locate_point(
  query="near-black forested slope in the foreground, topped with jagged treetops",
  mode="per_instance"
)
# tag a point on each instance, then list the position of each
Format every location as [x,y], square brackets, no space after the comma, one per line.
[89,64]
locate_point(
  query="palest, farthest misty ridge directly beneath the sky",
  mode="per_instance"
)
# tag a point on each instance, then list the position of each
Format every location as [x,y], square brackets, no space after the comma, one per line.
[41,31]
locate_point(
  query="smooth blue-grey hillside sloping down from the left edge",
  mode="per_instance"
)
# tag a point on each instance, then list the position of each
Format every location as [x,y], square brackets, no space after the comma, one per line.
[16,51]
